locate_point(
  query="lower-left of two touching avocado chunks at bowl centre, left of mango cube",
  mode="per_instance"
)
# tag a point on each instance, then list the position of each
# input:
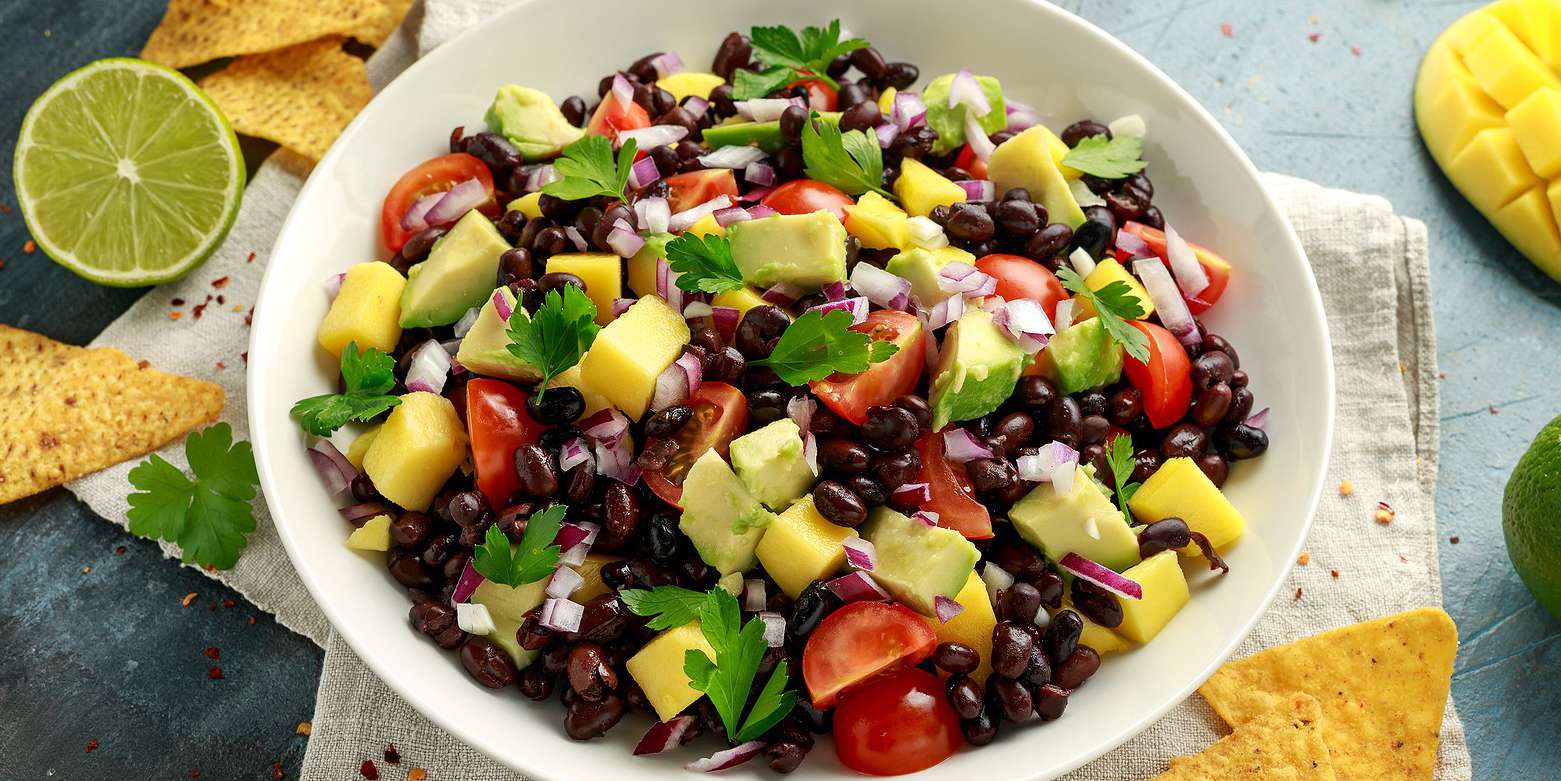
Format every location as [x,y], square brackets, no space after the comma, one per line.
[720,516]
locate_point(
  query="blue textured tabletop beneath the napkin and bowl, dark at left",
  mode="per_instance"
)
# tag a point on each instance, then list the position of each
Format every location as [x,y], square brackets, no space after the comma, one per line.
[1298,107]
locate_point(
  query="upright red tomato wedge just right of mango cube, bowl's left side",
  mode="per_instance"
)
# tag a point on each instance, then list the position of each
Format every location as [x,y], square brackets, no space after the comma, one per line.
[497,423]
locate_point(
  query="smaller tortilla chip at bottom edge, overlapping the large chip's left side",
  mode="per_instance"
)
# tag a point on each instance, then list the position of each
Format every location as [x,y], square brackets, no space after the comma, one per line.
[1284,744]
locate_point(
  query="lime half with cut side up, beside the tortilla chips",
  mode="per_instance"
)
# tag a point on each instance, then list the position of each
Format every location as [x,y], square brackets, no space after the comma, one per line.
[127,173]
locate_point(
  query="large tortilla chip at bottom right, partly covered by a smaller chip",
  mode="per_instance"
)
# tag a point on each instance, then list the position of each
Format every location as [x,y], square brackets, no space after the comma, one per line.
[1382,686]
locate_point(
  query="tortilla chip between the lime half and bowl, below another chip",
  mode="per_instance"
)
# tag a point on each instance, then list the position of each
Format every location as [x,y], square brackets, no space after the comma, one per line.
[300,98]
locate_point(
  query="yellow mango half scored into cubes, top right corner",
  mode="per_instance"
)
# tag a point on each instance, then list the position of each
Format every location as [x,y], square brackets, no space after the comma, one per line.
[1488,102]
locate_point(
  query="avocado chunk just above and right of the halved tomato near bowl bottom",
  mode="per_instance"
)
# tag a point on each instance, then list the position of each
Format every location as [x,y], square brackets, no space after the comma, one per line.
[919,563]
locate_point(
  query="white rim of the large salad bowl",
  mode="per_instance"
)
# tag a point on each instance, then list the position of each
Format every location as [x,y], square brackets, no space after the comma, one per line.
[389,674]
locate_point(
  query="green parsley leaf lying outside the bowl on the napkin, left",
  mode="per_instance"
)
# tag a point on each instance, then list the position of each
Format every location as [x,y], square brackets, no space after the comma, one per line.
[210,518]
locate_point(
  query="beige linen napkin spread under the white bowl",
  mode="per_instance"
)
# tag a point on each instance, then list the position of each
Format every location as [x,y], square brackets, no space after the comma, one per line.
[1371,265]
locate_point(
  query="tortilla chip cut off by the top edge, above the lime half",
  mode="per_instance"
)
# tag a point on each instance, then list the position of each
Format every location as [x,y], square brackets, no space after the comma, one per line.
[196,32]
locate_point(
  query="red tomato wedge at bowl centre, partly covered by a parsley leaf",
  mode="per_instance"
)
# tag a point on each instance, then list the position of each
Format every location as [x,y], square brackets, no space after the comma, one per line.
[884,382]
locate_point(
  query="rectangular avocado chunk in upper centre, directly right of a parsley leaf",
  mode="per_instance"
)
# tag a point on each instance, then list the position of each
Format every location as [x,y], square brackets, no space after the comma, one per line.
[808,251]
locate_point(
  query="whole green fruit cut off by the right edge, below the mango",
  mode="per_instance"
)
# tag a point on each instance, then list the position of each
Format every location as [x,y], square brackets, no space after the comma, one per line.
[1532,518]
